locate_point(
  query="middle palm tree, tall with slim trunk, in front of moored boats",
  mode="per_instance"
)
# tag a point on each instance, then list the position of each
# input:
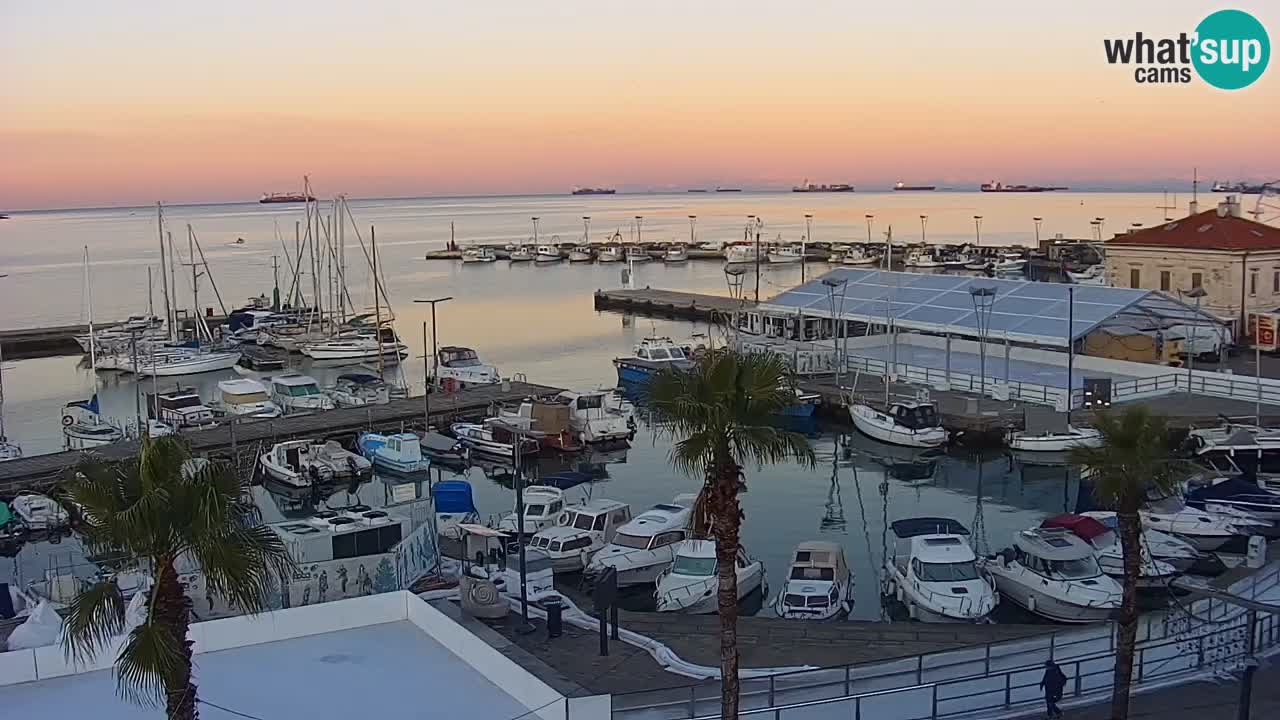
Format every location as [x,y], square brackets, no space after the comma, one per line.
[720,414]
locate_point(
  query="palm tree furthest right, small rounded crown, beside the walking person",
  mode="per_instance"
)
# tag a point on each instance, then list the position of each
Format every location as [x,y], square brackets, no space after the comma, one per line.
[1135,459]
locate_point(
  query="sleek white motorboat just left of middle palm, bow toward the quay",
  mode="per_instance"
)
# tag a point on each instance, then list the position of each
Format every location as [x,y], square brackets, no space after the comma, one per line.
[643,549]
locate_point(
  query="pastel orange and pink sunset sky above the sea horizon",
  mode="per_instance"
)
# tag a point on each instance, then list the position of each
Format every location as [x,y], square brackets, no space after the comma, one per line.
[131,103]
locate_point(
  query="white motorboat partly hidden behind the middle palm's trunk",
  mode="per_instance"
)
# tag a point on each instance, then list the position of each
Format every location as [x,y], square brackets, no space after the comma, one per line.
[692,584]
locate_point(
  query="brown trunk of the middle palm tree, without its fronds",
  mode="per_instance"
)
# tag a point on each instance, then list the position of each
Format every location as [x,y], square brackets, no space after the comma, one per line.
[728,523]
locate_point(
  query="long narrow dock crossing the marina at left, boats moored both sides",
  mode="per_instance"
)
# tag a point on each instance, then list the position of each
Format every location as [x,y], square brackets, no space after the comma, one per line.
[40,472]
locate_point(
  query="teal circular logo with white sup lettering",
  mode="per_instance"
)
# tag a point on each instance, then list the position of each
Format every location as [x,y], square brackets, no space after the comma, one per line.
[1232,49]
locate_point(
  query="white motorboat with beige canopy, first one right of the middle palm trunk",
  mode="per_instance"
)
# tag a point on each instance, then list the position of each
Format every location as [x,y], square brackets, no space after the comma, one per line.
[820,585]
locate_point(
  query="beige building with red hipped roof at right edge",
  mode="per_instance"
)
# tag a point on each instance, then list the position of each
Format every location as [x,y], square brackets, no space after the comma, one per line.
[1235,259]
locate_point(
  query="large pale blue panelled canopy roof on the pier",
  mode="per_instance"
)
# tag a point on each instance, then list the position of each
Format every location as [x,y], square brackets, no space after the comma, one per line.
[1021,311]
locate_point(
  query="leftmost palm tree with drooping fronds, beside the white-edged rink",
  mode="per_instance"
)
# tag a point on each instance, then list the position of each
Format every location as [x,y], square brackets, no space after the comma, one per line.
[154,511]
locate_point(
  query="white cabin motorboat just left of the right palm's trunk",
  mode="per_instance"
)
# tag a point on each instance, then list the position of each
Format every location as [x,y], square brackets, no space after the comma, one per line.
[1055,575]
